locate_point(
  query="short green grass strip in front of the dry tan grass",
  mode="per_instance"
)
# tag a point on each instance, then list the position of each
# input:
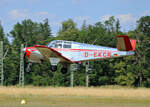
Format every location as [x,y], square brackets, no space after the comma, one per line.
[72,101]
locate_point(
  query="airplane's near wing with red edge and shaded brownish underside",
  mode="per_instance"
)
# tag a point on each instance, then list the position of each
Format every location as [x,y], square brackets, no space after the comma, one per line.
[48,52]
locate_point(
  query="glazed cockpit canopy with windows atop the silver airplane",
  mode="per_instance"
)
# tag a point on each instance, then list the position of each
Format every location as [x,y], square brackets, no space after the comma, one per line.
[60,44]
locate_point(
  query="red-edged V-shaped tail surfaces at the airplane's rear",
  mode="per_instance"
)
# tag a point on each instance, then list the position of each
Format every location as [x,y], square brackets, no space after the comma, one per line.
[125,44]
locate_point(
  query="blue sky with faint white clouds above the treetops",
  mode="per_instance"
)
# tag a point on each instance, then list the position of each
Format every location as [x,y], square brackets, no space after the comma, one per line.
[127,11]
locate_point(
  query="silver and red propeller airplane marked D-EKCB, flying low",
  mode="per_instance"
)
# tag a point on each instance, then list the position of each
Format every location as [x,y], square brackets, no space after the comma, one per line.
[68,52]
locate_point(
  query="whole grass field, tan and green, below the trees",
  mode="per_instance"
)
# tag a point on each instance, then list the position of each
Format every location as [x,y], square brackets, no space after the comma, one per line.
[74,97]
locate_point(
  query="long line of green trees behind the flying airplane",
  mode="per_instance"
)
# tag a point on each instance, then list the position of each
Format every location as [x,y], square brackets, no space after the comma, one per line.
[129,71]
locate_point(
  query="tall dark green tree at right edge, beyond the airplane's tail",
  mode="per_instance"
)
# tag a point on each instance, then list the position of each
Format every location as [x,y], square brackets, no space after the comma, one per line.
[142,57]
